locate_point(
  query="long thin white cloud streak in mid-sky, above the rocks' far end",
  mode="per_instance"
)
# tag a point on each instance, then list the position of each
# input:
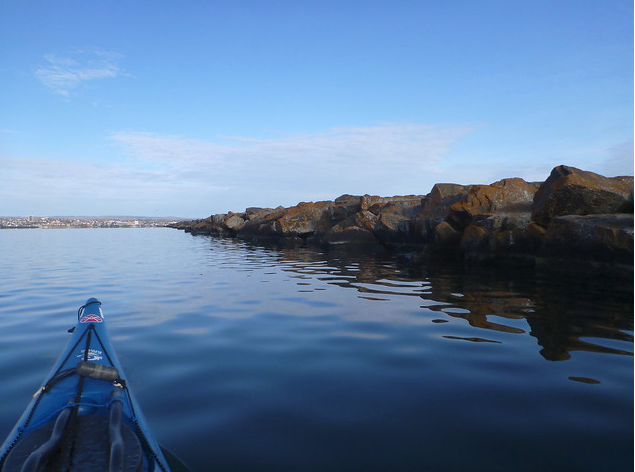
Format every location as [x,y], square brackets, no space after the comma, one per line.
[387,146]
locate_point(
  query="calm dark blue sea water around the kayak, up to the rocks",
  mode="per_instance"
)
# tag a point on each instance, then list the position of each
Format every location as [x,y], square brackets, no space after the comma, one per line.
[247,358]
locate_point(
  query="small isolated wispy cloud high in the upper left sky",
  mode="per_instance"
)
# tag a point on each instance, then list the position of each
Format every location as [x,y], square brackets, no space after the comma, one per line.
[64,73]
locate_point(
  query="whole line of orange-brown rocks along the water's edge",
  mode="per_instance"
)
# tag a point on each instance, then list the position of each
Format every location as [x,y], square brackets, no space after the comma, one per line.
[574,217]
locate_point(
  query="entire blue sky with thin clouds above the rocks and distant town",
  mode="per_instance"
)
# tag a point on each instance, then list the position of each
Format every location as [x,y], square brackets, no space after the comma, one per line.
[194,107]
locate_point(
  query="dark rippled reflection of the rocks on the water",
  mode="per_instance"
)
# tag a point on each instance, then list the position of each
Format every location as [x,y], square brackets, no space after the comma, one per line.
[563,312]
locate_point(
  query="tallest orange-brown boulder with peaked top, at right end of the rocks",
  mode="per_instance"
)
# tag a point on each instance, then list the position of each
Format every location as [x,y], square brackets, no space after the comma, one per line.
[571,191]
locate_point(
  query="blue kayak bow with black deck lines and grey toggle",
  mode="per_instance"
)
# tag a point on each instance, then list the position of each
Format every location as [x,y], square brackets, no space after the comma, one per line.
[83,417]
